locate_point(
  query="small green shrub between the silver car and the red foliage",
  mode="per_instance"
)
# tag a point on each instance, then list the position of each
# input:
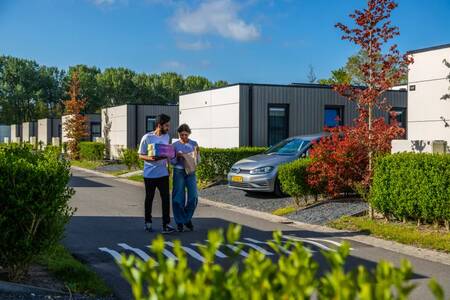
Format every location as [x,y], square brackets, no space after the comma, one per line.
[293,178]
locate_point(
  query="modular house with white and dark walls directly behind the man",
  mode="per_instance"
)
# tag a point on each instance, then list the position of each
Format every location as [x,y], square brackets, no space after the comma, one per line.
[128,123]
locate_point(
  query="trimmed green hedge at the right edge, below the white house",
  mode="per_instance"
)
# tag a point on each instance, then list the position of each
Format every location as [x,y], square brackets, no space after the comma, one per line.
[412,186]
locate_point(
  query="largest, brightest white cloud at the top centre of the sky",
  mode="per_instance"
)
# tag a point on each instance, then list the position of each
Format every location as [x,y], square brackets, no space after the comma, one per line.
[216,17]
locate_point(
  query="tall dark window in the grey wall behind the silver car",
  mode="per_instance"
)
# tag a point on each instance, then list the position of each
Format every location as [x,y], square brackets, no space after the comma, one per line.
[278,127]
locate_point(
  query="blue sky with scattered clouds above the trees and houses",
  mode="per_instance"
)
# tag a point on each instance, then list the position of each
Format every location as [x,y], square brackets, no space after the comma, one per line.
[259,41]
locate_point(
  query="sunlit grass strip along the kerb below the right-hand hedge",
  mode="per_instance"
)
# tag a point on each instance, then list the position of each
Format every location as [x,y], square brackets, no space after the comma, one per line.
[405,233]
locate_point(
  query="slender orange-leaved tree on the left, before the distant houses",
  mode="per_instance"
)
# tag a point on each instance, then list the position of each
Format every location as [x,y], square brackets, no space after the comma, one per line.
[75,126]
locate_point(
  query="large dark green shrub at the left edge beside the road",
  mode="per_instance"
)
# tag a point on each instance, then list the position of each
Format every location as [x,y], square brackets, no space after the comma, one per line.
[34,205]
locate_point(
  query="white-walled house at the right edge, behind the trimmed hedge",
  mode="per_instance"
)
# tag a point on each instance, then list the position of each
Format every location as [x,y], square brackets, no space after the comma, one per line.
[428,116]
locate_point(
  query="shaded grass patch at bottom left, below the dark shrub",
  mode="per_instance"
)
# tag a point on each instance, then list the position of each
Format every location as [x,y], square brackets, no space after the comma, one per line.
[75,275]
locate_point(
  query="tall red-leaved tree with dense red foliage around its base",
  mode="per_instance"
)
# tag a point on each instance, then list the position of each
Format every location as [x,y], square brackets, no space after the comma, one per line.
[344,160]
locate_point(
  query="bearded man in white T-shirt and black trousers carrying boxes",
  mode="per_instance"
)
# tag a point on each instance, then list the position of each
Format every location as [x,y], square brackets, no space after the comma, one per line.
[156,174]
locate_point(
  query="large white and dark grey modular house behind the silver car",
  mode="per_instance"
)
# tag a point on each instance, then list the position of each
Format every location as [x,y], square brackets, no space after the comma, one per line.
[246,114]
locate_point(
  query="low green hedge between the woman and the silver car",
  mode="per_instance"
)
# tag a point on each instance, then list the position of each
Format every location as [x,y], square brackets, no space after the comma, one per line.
[216,163]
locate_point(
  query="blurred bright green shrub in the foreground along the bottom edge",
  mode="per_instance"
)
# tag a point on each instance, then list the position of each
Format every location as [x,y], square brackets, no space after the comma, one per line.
[293,276]
